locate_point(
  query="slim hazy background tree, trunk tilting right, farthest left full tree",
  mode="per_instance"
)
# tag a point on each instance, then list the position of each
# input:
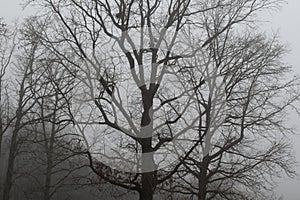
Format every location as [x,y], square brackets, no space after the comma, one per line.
[25,82]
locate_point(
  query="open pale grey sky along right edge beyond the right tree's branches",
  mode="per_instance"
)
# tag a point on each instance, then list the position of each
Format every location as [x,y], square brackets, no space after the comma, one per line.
[287,21]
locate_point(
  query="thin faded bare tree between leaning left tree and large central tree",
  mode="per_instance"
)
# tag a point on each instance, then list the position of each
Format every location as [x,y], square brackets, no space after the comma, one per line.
[53,106]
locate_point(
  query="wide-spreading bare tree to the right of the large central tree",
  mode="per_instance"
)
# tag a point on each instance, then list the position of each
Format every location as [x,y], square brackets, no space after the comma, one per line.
[242,132]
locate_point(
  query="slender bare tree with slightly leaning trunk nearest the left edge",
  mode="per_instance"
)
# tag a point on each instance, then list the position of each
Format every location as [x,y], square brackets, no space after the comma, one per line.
[22,101]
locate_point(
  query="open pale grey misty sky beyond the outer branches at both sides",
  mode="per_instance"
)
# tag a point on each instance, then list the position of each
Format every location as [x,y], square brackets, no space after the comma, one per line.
[287,21]
